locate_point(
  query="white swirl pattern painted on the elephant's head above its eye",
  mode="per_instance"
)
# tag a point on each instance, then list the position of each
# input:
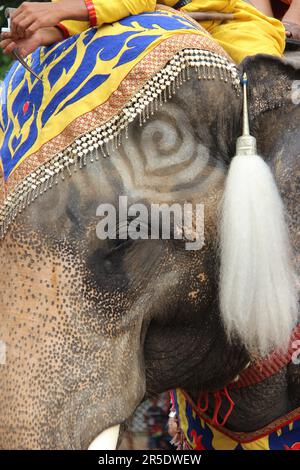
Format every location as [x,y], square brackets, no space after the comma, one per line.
[166,157]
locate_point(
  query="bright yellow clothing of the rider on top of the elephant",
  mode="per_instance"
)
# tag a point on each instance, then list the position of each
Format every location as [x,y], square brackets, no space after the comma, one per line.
[249,33]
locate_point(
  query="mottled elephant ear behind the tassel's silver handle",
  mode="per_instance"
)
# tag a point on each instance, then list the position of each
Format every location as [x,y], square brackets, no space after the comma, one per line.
[274,99]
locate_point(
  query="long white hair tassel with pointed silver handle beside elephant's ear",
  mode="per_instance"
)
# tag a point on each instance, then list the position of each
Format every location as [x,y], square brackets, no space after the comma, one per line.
[258,295]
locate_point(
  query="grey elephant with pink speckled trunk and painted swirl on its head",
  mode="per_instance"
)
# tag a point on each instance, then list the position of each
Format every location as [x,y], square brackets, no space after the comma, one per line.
[92,326]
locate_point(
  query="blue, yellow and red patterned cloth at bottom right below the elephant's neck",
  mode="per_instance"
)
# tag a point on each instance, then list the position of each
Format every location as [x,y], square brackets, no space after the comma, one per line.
[200,434]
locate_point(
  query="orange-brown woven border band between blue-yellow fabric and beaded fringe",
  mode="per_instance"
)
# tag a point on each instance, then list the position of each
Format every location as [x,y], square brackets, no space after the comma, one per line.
[153,63]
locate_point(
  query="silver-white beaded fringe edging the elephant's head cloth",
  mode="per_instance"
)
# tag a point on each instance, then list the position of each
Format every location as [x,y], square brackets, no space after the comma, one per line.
[157,90]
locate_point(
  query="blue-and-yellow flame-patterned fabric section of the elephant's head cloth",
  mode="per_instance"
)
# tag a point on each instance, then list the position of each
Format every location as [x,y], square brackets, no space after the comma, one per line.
[77,75]
